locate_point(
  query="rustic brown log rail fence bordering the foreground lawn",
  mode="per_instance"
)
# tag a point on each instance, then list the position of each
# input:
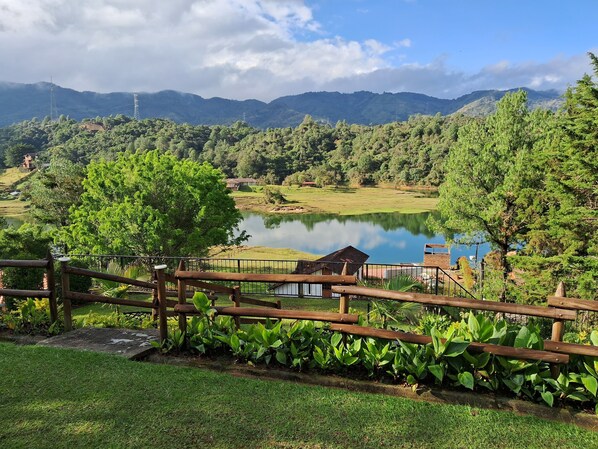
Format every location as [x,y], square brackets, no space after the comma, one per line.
[559,307]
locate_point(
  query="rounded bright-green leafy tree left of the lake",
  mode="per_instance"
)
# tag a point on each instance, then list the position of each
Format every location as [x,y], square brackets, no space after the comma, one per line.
[152,204]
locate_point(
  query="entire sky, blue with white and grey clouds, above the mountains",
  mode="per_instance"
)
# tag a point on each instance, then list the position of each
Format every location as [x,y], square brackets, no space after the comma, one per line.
[264,49]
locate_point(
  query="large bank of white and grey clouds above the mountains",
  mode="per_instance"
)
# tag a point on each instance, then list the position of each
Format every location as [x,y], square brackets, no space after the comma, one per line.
[228,48]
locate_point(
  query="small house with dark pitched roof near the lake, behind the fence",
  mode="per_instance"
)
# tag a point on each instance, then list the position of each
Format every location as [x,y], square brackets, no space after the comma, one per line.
[332,263]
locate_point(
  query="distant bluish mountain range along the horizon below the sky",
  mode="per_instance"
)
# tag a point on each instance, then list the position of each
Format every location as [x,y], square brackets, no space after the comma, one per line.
[20,102]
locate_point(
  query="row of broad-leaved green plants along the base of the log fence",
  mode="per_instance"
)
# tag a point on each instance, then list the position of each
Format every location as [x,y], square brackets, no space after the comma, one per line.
[446,361]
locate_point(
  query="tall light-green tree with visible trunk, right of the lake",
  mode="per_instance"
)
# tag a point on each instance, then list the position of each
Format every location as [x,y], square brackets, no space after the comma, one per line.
[490,179]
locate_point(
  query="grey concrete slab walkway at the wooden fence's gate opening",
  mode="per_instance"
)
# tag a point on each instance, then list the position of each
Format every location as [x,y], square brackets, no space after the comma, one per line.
[132,344]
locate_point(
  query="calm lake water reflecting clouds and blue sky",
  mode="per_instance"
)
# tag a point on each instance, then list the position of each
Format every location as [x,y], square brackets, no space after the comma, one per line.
[387,238]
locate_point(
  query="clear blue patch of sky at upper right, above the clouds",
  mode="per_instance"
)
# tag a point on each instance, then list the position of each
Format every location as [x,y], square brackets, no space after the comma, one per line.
[469,34]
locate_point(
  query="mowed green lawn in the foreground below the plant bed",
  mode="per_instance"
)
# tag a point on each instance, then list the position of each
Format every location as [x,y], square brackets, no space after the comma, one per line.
[54,398]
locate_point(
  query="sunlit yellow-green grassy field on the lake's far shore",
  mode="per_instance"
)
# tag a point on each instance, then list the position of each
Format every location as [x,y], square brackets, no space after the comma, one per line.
[341,201]
